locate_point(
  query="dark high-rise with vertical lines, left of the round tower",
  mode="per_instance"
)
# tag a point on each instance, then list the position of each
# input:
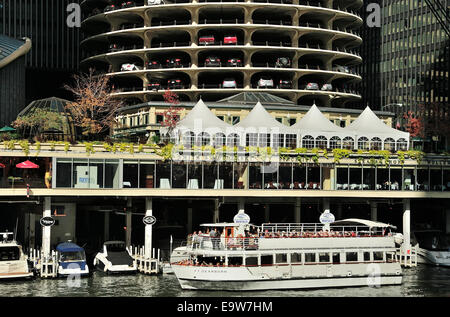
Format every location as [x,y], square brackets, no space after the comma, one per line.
[55,46]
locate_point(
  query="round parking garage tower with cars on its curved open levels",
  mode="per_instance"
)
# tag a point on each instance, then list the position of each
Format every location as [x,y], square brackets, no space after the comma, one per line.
[303,51]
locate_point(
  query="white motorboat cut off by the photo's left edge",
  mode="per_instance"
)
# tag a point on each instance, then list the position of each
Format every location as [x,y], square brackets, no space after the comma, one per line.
[13,262]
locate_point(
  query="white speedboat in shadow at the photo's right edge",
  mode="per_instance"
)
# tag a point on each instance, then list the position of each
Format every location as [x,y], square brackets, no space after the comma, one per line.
[432,247]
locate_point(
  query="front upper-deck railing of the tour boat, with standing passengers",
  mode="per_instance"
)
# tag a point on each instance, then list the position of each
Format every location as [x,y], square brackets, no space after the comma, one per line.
[205,242]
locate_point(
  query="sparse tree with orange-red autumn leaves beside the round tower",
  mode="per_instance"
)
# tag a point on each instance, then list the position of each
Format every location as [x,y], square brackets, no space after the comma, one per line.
[94,109]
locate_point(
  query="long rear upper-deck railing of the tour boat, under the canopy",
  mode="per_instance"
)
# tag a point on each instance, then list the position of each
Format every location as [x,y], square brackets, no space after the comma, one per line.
[289,230]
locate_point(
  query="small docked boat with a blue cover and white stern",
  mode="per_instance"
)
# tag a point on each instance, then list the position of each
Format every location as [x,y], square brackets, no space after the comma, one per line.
[71,260]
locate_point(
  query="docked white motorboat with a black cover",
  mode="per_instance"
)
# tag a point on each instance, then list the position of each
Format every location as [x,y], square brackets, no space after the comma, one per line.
[115,258]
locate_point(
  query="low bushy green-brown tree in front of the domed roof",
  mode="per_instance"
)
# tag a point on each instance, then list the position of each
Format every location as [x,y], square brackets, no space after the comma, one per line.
[37,121]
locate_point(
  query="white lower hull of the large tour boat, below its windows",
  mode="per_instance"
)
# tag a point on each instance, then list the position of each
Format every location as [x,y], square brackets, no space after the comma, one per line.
[247,279]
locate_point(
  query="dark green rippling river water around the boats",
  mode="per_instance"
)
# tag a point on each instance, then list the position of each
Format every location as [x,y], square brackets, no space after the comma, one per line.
[420,281]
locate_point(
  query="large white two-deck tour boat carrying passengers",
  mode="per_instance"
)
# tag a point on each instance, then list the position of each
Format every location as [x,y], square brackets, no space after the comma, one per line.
[352,252]
